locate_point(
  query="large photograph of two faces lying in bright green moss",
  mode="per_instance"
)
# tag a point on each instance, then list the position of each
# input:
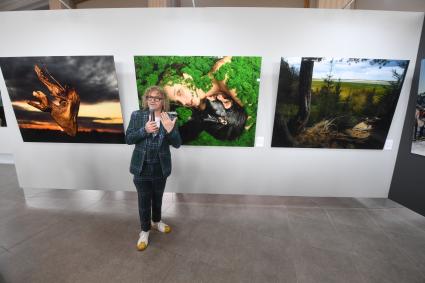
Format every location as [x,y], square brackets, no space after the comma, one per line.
[215,98]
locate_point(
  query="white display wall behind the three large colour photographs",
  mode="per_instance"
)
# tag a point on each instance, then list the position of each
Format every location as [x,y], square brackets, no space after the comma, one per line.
[270,33]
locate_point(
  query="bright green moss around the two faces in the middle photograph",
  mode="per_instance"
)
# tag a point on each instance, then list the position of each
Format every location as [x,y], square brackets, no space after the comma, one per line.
[241,74]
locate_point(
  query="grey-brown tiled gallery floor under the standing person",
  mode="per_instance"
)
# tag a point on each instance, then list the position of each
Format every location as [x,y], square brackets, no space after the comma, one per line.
[90,236]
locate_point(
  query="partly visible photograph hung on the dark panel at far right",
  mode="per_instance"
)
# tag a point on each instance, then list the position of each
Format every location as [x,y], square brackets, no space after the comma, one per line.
[418,143]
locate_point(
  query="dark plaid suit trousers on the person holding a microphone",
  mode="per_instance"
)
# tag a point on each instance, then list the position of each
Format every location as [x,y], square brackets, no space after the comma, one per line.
[150,189]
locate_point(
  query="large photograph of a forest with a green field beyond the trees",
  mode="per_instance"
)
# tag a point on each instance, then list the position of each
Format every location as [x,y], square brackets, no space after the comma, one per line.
[336,102]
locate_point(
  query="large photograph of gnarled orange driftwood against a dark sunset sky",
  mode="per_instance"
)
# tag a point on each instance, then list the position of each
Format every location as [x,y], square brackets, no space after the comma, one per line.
[71,99]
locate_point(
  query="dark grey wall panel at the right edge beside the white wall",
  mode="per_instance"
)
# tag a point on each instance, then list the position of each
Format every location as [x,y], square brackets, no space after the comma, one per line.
[407,186]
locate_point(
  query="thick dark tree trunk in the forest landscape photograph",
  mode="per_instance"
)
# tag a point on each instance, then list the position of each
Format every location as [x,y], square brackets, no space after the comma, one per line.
[304,95]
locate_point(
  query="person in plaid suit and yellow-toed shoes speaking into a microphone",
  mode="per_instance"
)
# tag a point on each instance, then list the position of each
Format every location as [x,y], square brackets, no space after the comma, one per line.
[151,159]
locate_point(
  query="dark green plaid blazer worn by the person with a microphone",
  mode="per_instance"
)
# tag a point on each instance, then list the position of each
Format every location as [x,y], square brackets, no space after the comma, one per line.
[136,134]
